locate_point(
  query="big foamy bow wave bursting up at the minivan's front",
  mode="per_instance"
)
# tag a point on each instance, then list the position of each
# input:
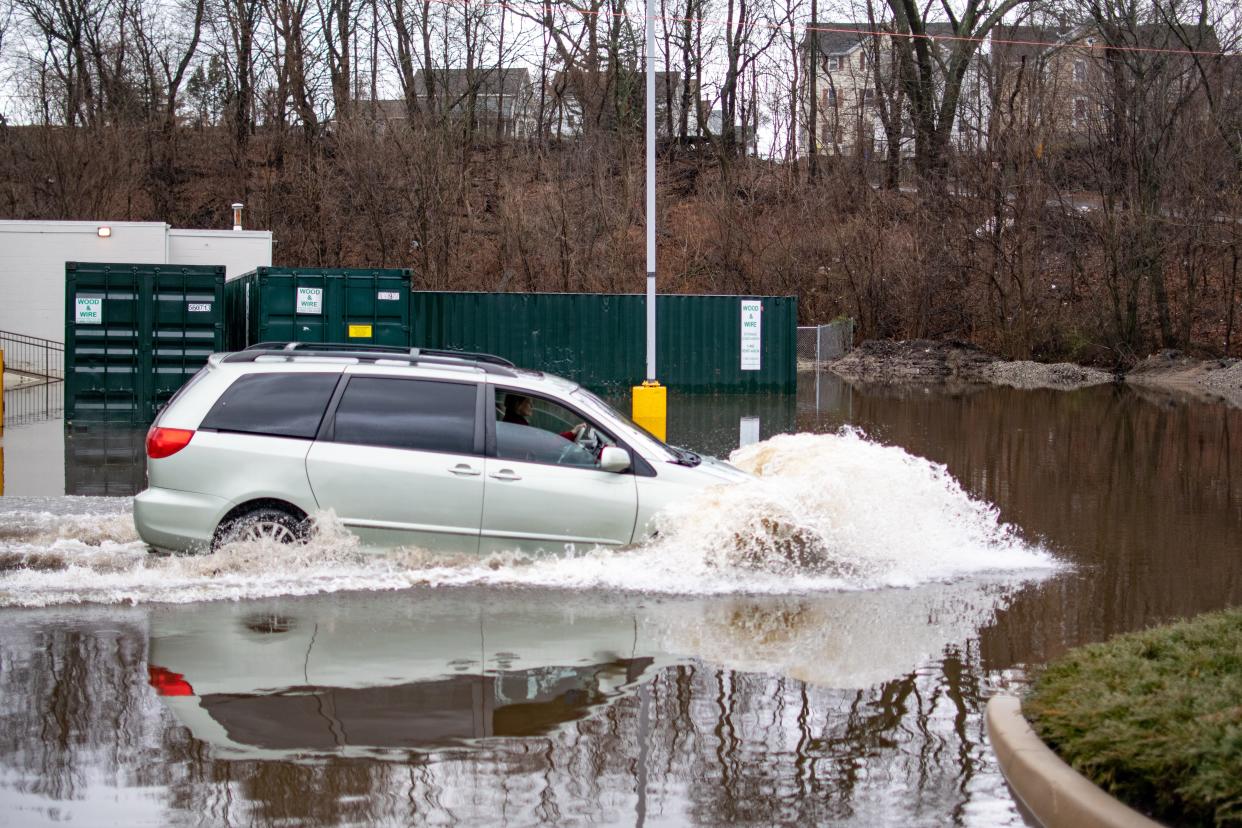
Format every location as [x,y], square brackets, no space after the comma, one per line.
[844,510]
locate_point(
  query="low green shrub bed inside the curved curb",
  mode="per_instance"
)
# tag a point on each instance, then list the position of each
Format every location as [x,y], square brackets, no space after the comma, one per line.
[1154,718]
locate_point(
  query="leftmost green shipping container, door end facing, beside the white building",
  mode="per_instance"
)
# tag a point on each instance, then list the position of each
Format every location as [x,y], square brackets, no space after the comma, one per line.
[135,335]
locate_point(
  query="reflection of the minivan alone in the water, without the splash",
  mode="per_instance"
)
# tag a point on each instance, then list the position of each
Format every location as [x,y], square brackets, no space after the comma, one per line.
[285,680]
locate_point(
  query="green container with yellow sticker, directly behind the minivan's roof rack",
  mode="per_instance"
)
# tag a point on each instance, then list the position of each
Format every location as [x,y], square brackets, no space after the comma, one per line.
[320,306]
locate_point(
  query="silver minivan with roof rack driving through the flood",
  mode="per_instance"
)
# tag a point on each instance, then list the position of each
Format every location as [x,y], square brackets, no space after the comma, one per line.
[443,450]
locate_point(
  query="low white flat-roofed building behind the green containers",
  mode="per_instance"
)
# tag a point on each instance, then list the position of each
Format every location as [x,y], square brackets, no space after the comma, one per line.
[33,256]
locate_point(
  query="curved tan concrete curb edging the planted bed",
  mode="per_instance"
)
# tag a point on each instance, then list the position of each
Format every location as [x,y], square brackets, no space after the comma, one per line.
[1055,794]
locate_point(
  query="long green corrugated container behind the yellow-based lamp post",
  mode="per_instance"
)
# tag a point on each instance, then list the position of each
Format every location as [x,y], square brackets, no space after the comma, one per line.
[705,343]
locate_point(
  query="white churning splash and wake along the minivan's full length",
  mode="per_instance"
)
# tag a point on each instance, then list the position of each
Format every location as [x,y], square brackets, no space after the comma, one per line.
[825,513]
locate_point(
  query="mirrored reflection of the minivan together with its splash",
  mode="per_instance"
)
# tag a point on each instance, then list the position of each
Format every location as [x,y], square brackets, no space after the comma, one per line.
[387,673]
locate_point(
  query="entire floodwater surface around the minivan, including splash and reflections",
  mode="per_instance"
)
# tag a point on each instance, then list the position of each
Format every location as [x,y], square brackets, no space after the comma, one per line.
[956,541]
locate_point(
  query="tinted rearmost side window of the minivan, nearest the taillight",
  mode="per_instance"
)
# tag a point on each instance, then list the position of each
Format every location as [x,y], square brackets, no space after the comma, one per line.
[279,405]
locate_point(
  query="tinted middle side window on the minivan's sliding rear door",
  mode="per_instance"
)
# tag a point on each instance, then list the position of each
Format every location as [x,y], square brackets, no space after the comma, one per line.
[423,415]
